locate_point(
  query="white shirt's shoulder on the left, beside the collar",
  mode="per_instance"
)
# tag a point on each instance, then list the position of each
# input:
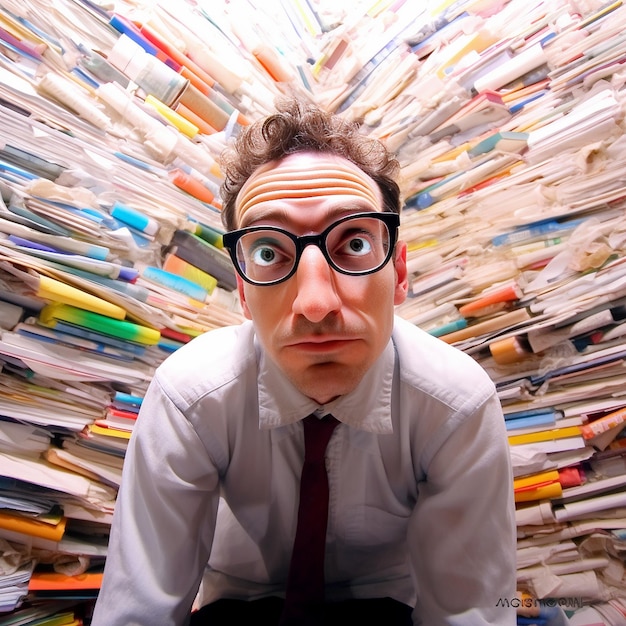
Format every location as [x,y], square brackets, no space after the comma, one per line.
[209,362]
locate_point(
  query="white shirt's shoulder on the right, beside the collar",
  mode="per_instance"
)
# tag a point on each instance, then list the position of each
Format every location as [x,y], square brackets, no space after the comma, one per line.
[428,365]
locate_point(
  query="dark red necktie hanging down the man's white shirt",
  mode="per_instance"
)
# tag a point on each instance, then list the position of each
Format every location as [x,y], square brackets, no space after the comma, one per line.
[305,583]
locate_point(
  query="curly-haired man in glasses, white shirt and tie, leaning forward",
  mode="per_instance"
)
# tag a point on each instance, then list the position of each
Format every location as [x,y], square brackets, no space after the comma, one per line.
[420,522]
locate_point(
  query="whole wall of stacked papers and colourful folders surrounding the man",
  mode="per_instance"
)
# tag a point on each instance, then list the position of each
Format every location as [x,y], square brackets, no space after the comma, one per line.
[508,122]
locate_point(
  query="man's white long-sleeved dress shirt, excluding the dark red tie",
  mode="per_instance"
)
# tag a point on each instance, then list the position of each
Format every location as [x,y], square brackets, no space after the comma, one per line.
[421,502]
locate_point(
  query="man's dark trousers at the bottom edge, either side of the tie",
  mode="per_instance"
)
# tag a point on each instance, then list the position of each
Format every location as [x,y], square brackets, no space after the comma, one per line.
[369,612]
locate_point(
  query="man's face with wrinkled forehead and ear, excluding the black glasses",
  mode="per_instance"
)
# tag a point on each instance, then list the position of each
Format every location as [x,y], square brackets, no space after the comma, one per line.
[322,328]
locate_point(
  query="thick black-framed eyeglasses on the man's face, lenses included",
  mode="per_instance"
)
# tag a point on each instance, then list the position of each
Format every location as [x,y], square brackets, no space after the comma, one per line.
[358,244]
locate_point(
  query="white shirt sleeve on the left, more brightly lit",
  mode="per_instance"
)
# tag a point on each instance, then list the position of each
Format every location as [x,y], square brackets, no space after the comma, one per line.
[164,521]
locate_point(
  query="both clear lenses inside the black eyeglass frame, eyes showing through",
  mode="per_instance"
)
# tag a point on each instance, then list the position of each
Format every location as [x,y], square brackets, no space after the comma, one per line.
[354,246]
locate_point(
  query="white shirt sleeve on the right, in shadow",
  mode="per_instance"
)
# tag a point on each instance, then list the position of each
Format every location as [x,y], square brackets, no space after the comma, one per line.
[461,534]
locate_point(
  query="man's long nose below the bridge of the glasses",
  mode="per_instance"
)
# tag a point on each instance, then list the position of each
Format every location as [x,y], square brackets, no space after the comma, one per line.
[316,288]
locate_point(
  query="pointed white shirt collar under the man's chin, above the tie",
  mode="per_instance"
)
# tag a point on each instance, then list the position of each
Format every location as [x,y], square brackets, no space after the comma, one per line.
[368,407]
